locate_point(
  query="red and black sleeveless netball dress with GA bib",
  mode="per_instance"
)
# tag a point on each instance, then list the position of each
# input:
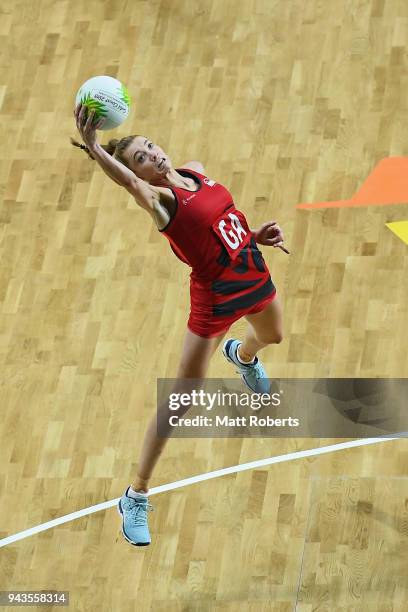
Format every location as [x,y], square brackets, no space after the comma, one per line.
[229,277]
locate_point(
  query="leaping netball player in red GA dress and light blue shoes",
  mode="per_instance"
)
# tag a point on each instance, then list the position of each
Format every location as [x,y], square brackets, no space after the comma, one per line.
[229,277]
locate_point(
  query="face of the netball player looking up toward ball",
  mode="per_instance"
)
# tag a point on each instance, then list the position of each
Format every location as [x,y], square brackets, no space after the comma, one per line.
[147,160]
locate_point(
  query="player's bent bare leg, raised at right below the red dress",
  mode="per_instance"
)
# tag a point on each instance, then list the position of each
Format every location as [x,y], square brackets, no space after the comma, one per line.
[264,328]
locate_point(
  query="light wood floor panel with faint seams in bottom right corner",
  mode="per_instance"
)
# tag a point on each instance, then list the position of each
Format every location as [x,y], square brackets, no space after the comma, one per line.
[356,545]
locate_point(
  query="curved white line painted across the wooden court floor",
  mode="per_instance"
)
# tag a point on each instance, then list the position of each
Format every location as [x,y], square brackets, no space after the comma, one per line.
[312,452]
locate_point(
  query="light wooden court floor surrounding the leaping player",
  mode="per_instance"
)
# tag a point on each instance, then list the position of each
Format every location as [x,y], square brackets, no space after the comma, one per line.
[283,103]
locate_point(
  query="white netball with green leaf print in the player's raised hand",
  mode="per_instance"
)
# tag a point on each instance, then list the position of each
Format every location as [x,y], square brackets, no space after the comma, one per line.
[108,97]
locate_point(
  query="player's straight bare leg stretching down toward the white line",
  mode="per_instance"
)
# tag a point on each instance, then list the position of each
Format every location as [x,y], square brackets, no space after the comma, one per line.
[195,359]
